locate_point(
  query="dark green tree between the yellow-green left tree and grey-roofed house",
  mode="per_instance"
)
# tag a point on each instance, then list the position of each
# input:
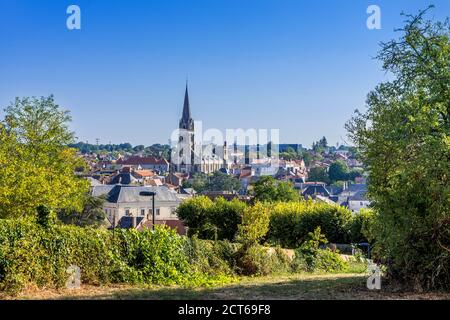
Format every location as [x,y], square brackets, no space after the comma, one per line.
[92,213]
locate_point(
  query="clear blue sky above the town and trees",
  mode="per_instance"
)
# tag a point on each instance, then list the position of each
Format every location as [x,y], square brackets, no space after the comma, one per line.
[295,65]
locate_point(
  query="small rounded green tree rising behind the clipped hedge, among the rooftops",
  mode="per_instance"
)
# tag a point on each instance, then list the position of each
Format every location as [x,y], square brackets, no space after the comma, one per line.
[269,189]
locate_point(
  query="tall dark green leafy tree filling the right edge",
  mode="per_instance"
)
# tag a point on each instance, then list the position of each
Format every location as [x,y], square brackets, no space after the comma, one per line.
[403,137]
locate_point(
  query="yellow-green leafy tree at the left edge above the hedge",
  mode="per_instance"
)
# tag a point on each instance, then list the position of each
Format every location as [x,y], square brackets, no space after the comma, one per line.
[36,166]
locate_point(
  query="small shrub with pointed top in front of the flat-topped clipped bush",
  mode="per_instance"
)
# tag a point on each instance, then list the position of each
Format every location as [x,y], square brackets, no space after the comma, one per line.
[309,257]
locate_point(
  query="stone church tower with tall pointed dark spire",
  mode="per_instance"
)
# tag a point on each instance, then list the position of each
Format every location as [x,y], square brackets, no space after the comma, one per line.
[186,140]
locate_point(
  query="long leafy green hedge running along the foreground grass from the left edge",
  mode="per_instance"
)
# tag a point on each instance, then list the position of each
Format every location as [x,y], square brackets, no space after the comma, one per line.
[38,256]
